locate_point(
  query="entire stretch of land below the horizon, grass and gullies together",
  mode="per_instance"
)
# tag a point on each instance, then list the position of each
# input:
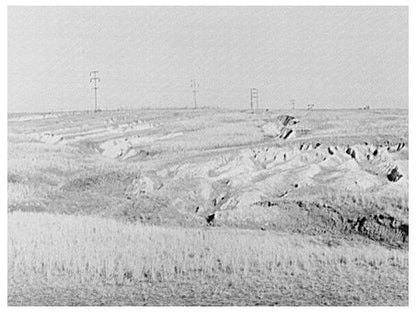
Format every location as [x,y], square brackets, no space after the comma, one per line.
[207,207]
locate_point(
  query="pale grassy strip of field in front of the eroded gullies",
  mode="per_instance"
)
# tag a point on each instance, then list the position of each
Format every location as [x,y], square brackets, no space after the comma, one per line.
[115,263]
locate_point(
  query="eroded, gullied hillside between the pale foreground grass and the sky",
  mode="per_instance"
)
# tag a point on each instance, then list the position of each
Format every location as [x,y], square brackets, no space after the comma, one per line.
[338,176]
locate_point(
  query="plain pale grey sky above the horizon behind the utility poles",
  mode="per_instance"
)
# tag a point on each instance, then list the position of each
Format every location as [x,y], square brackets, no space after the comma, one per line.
[332,57]
